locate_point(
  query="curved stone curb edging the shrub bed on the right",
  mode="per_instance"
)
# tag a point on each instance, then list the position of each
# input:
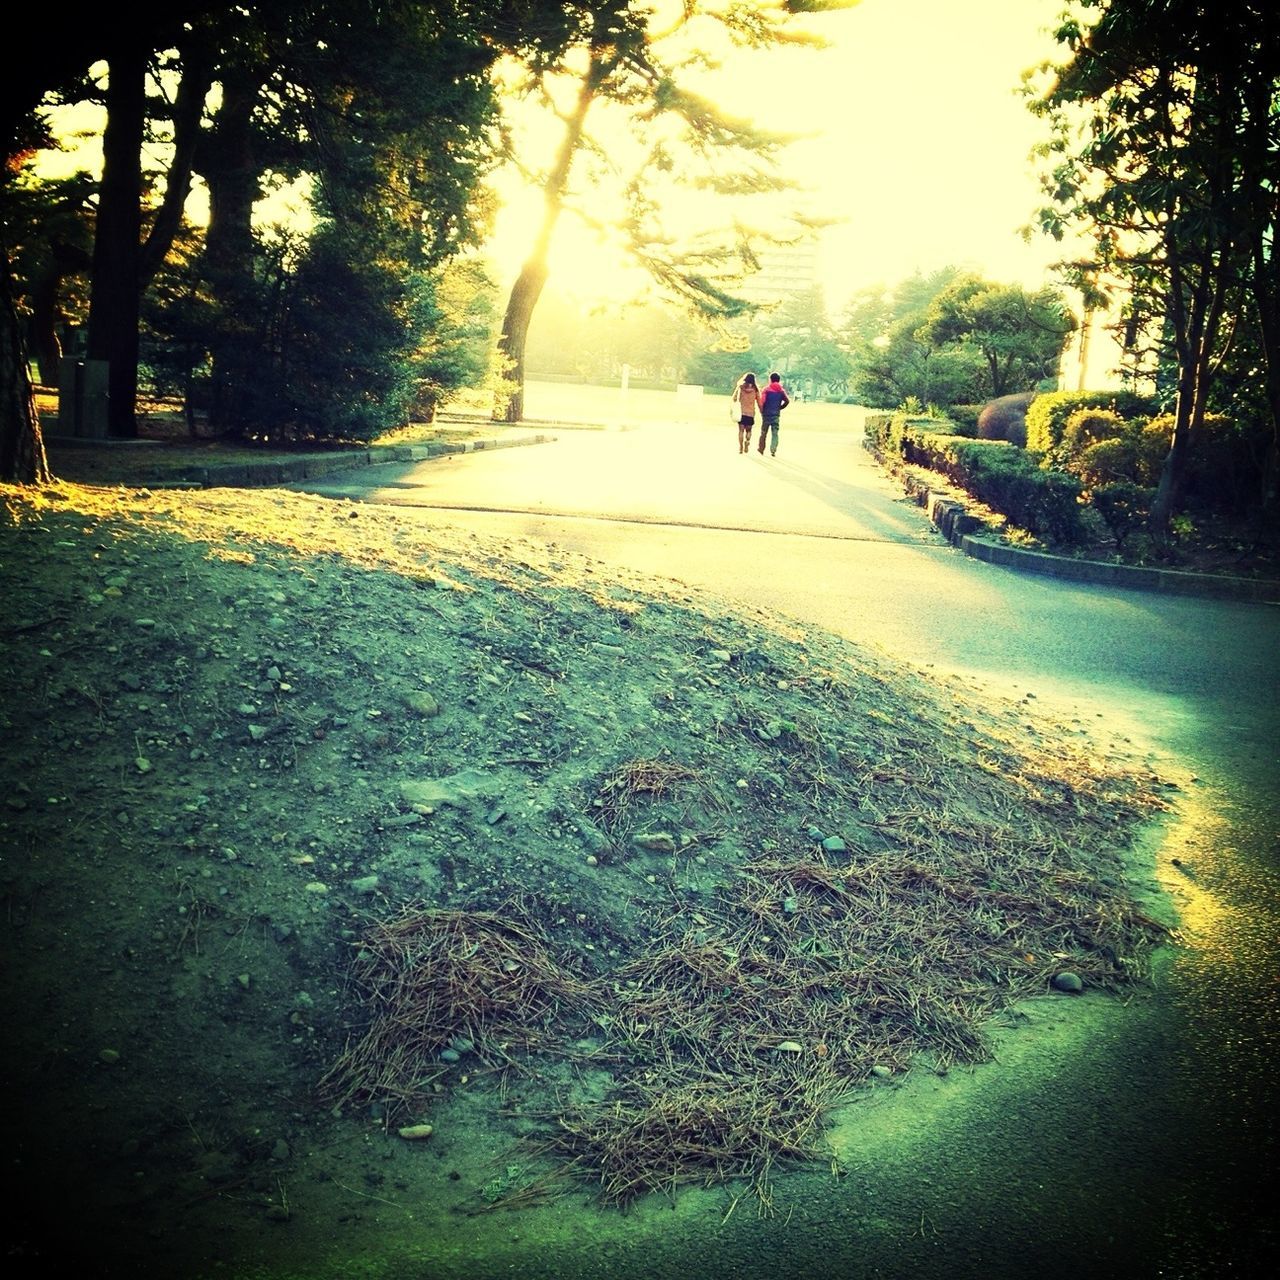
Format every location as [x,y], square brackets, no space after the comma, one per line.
[966,533]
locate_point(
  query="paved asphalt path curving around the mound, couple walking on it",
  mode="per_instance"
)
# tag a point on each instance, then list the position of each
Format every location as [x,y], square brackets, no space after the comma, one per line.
[1118,1141]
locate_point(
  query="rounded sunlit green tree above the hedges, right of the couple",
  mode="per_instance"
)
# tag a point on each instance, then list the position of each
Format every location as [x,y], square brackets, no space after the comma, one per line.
[1020,335]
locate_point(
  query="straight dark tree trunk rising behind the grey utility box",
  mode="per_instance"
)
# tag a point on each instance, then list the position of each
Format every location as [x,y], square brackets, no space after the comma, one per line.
[115,303]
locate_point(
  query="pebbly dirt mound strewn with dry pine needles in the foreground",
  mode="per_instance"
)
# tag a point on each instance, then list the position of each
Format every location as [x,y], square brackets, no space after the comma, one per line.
[321,824]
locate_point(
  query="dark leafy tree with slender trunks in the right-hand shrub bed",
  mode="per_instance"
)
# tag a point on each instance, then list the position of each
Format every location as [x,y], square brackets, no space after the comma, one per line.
[1164,153]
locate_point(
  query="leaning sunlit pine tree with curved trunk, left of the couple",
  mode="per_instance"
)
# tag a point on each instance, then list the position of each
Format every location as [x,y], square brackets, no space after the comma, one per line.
[624,61]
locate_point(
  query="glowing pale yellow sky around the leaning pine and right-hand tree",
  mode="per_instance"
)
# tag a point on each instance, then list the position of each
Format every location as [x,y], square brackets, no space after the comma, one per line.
[924,148]
